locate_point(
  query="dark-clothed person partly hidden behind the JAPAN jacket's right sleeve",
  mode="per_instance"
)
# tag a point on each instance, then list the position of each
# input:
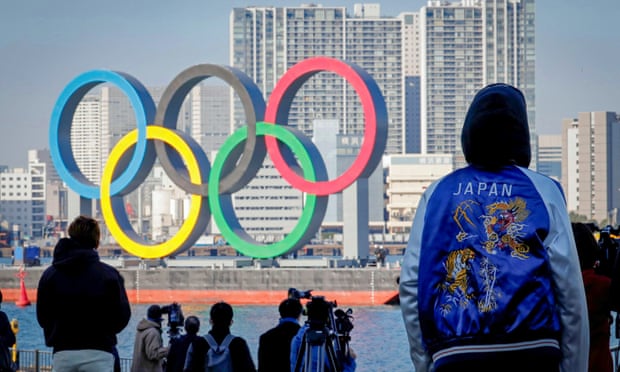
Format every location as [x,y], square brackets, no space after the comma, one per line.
[598,296]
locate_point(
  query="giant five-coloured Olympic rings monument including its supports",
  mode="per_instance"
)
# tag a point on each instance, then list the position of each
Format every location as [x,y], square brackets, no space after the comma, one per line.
[211,185]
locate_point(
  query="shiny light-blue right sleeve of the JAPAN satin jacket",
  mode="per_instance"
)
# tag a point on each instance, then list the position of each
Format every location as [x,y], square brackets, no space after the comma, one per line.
[568,286]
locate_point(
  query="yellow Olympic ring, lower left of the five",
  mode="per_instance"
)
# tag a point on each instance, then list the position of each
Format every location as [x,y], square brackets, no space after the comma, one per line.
[136,245]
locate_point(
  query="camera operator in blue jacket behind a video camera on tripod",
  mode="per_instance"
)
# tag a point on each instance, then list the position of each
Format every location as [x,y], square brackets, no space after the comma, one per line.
[314,340]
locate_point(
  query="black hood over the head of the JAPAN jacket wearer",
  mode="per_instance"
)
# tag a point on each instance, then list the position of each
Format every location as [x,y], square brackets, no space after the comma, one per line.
[496,131]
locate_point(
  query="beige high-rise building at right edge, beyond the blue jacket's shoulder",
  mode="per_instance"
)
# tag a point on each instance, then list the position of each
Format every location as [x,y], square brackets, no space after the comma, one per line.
[590,180]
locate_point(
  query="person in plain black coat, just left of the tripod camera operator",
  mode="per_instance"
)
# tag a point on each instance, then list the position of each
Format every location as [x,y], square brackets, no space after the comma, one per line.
[274,346]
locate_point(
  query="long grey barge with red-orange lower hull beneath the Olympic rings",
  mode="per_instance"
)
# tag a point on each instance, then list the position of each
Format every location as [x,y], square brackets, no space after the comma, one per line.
[356,286]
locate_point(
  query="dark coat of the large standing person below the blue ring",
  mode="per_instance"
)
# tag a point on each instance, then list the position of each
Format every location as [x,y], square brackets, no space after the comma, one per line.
[81,302]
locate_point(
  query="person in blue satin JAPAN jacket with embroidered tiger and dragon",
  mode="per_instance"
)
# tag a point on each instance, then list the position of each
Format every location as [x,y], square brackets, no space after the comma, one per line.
[491,280]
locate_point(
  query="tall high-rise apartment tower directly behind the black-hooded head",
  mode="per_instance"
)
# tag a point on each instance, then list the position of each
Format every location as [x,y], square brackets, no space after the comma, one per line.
[464,46]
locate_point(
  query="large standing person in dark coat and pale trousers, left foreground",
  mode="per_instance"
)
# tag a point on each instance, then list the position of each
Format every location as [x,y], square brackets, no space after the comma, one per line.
[81,302]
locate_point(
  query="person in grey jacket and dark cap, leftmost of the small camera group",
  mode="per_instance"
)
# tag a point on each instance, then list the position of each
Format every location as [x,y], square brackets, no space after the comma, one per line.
[148,350]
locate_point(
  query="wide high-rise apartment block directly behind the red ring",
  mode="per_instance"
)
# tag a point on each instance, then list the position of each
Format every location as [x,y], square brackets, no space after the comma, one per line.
[266,41]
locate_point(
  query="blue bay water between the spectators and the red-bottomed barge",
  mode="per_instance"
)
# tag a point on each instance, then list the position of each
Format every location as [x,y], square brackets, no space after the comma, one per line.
[378,336]
